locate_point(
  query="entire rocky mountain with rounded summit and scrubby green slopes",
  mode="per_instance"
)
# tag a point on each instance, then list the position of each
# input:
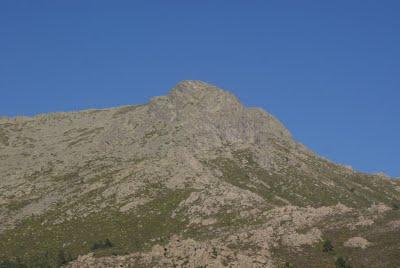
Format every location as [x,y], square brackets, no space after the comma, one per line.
[191,179]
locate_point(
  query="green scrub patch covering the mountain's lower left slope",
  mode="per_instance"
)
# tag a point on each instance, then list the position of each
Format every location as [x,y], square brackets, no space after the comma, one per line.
[37,239]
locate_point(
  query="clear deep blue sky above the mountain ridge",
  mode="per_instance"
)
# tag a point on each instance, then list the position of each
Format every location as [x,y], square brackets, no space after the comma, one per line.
[329,70]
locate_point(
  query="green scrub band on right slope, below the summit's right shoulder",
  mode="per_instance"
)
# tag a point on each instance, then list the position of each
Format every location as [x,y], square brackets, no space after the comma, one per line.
[299,186]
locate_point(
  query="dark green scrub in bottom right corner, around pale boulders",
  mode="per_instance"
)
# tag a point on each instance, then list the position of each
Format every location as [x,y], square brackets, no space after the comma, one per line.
[383,251]
